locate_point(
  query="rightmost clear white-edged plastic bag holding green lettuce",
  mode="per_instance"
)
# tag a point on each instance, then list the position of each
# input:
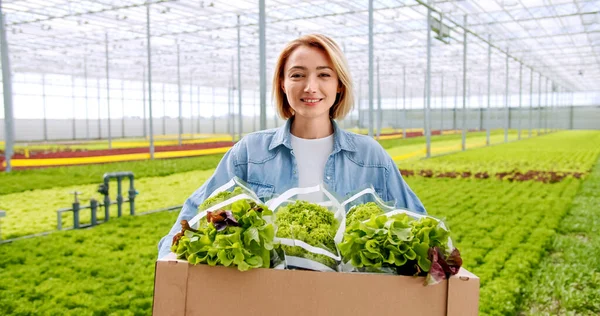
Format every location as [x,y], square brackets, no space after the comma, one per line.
[382,239]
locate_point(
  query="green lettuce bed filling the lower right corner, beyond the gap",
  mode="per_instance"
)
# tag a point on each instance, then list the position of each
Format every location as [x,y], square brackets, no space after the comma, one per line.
[568,279]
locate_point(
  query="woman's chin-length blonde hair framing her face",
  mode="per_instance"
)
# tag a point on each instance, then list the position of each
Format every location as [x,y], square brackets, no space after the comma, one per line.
[343,102]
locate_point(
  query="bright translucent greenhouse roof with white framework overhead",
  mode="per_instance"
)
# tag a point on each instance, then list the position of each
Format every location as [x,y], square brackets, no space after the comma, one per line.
[559,39]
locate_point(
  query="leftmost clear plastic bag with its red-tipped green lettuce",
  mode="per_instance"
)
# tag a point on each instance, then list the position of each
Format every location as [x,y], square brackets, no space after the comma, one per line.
[232,228]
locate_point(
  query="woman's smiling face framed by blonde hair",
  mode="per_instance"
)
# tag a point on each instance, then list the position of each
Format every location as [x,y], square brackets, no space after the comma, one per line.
[310,83]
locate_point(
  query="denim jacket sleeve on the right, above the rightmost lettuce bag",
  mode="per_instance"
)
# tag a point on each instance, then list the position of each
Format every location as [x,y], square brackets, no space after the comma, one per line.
[400,192]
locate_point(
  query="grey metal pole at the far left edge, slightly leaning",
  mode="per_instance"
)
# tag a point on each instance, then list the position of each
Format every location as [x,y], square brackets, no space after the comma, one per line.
[9,128]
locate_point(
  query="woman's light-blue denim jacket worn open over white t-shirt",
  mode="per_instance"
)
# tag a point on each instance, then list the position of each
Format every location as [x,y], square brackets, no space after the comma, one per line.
[266,161]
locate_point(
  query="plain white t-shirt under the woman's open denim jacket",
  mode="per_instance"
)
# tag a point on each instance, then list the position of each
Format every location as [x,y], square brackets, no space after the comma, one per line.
[311,157]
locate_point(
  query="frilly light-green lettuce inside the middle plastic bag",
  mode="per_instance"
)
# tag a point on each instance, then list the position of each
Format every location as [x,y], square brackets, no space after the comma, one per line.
[311,223]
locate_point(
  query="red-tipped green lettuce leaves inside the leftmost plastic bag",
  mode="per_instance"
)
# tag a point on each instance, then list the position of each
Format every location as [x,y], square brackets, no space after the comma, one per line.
[240,237]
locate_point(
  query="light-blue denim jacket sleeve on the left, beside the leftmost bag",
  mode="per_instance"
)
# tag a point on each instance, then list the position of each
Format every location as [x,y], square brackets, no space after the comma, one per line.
[228,168]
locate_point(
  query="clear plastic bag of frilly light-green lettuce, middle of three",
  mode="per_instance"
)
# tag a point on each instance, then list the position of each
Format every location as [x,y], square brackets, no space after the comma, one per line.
[308,233]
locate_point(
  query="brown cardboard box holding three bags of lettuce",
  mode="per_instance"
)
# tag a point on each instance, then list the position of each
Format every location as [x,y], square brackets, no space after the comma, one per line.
[184,289]
